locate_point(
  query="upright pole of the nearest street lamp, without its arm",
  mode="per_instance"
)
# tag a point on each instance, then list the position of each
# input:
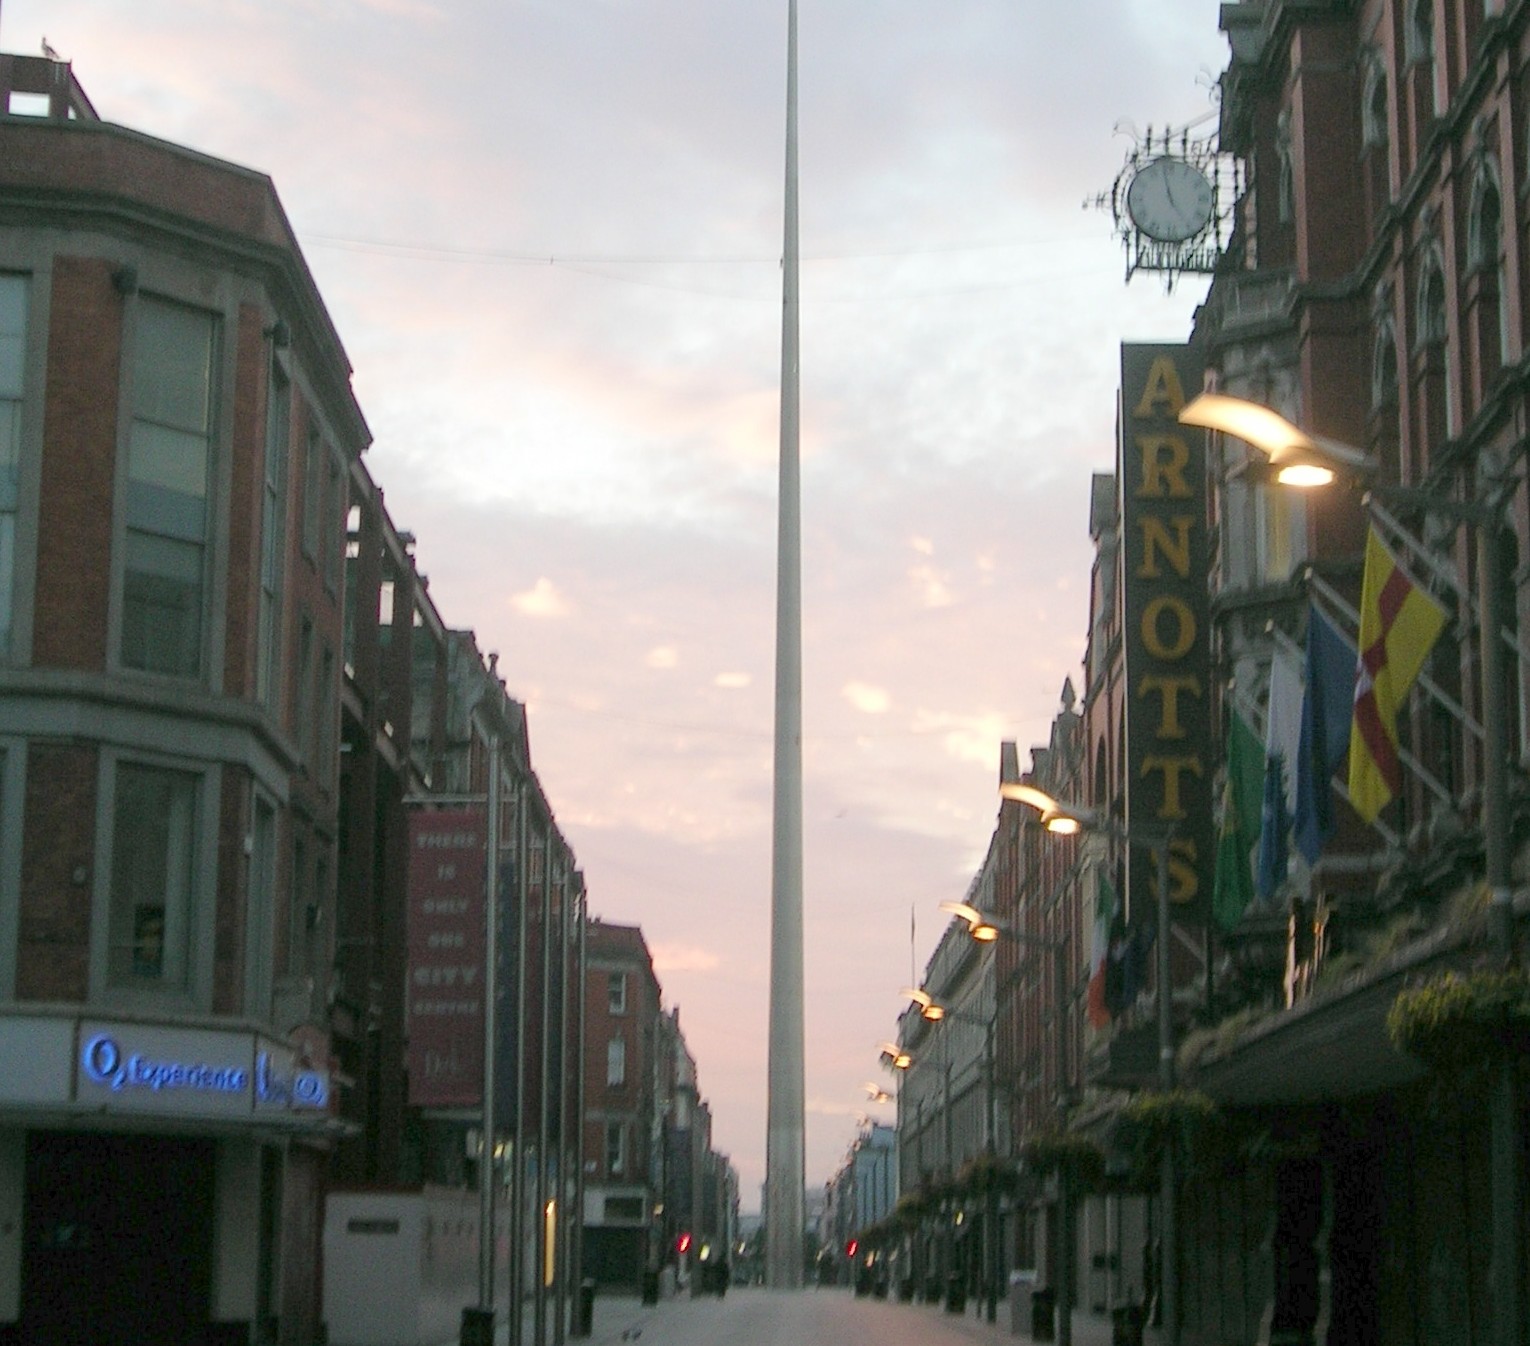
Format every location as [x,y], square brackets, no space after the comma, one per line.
[1497,860]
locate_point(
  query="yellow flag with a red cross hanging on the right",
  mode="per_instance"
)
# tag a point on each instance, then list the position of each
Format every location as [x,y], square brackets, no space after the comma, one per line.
[1399,625]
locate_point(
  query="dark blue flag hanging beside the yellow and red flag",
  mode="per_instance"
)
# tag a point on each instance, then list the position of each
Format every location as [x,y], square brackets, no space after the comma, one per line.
[1327,712]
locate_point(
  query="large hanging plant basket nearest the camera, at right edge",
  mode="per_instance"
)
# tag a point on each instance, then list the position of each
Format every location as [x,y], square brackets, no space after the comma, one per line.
[1462,1021]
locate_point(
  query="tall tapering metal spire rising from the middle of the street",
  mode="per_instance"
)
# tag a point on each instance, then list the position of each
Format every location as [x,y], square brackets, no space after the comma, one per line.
[786,1110]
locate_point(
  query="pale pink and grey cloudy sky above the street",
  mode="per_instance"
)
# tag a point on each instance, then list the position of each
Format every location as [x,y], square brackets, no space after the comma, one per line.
[549,233]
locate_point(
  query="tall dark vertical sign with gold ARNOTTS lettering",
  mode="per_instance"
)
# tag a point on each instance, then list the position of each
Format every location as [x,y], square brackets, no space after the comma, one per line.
[1170,762]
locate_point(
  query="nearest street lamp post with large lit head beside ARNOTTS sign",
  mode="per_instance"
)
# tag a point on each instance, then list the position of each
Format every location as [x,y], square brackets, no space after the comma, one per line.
[1280,441]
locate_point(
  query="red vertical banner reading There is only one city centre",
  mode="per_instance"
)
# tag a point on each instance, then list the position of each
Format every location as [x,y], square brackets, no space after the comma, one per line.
[446,958]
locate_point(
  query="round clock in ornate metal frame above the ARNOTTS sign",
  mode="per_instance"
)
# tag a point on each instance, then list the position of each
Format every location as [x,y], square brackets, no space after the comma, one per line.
[1168,206]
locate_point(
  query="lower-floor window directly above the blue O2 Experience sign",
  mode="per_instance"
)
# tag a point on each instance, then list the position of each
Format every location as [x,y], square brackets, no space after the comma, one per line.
[154,860]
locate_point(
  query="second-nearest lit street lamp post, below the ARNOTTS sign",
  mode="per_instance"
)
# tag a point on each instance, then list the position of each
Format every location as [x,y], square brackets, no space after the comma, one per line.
[1067,819]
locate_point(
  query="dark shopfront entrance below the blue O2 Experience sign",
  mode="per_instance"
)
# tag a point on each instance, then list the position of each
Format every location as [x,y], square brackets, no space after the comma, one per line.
[119,1240]
